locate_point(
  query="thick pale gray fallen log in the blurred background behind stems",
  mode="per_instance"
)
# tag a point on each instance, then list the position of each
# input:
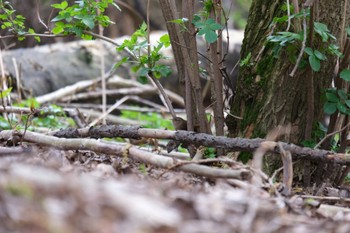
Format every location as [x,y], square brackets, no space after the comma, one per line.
[44,69]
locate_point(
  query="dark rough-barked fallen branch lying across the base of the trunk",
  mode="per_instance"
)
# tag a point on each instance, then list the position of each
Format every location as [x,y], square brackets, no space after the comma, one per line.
[201,139]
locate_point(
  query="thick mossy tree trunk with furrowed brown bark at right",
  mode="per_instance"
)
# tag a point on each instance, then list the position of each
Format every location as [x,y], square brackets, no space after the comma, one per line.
[267,97]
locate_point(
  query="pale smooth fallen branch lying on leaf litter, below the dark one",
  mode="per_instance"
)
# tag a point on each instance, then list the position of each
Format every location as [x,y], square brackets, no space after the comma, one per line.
[125,150]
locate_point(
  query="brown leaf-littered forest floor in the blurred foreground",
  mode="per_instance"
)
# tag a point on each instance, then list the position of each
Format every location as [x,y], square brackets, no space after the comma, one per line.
[45,189]
